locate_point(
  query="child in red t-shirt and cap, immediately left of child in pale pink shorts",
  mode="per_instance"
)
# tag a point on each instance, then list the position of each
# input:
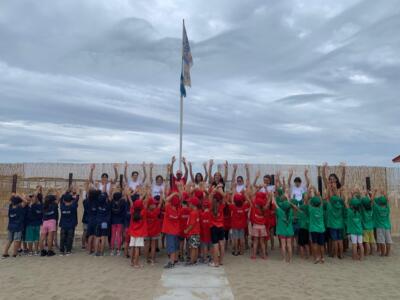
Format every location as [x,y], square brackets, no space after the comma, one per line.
[238,210]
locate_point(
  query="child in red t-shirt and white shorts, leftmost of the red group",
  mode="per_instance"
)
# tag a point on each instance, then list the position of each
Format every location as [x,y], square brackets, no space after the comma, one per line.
[137,231]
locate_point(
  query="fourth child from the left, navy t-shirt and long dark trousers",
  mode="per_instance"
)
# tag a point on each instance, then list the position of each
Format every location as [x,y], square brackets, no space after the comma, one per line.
[68,222]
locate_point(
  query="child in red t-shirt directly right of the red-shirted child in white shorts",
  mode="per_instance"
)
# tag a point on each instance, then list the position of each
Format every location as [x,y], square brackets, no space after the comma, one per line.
[153,230]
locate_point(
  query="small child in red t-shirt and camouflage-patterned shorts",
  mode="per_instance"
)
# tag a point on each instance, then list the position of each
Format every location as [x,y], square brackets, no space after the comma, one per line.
[192,231]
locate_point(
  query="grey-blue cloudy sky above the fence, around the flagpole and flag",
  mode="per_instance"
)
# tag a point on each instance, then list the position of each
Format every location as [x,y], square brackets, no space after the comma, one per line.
[297,81]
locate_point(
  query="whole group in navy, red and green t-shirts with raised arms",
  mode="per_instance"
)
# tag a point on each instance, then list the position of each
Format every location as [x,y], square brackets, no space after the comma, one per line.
[197,221]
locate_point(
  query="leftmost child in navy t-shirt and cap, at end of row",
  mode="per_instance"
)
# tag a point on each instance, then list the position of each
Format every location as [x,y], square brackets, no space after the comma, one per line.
[16,215]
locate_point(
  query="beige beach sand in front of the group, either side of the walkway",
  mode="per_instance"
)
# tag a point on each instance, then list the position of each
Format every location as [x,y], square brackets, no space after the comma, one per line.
[80,276]
